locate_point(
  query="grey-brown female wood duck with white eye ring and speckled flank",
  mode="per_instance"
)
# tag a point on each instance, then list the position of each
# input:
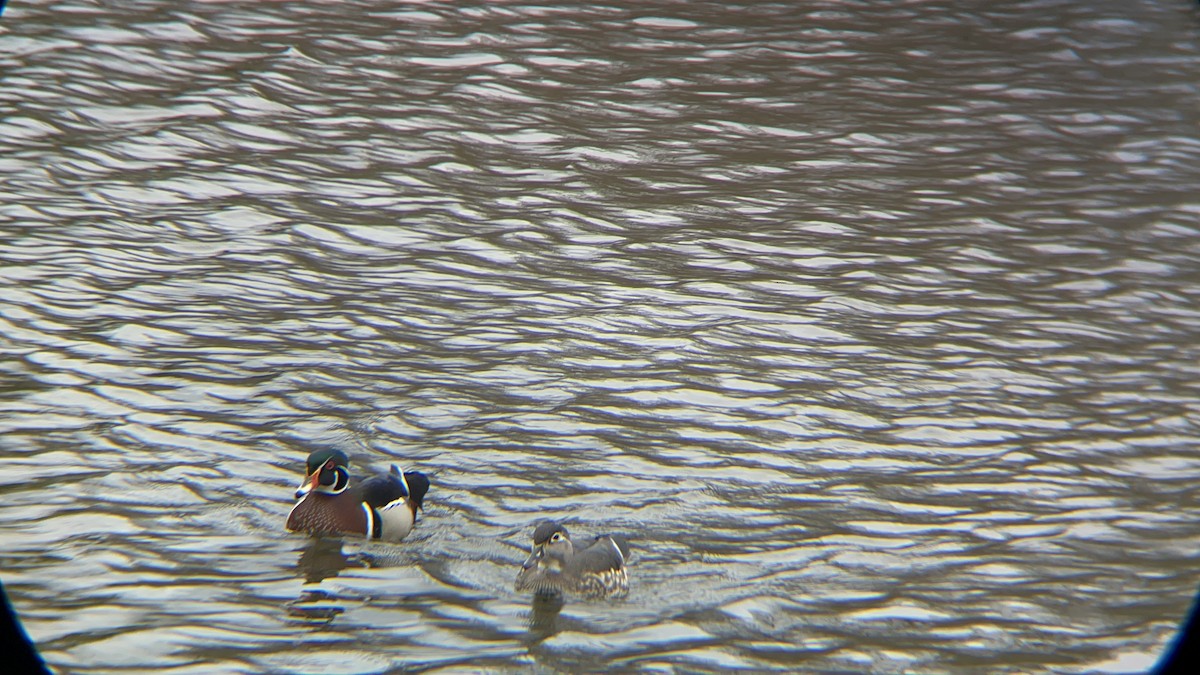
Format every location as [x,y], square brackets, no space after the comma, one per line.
[556,566]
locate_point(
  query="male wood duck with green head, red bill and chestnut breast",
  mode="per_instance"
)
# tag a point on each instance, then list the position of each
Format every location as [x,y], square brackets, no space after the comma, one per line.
[382,507]
